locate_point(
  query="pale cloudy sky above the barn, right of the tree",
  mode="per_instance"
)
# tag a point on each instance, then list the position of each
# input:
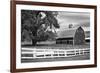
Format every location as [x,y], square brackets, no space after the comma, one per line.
[74,18]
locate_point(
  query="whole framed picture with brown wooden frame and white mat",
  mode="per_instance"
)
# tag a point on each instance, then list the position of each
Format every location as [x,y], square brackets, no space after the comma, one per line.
[50,36]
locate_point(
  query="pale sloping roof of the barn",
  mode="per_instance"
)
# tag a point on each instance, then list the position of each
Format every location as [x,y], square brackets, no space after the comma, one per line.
[69,33]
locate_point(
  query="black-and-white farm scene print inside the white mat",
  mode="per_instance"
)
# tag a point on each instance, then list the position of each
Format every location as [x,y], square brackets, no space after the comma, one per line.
[54,36]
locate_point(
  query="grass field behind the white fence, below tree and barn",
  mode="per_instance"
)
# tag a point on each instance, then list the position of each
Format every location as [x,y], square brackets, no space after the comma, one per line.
[53,45]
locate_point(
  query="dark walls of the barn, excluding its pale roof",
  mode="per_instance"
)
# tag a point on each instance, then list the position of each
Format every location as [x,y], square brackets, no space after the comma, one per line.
[77,39]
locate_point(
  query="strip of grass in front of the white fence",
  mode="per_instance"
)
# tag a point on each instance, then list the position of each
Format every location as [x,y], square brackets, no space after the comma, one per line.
[74,58]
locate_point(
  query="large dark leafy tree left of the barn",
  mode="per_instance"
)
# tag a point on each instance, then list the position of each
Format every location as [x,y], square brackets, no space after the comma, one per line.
[35,24]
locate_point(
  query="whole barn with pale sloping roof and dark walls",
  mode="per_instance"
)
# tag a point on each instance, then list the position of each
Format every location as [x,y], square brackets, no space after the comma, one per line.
[72,36]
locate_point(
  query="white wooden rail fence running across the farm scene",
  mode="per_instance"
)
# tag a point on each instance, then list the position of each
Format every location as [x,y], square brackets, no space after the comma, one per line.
[52,53]
